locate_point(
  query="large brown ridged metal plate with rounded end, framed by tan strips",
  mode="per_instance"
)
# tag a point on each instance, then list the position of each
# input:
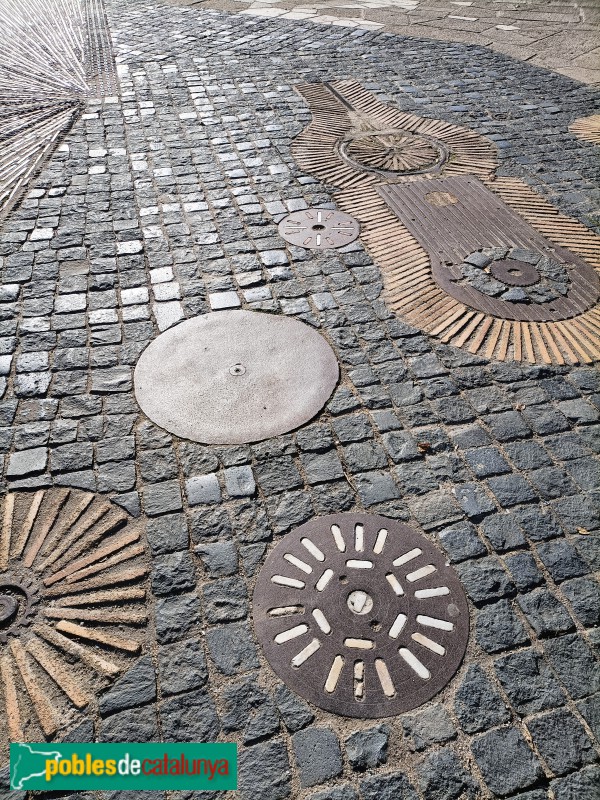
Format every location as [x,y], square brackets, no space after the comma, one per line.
[479,220]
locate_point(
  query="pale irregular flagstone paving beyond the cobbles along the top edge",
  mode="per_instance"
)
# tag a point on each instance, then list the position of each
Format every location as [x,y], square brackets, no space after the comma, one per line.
[559,35]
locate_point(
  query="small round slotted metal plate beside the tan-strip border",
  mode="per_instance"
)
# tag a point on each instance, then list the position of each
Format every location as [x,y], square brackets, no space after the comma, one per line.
[319,228]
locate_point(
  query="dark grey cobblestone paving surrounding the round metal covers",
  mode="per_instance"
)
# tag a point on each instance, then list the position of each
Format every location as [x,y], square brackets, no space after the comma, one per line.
[161,204]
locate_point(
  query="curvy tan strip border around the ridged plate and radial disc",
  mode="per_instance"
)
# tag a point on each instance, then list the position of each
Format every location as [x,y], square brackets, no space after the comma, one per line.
[411,289]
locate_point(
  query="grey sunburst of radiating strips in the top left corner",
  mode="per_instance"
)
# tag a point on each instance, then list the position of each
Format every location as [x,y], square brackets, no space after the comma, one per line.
[53,54]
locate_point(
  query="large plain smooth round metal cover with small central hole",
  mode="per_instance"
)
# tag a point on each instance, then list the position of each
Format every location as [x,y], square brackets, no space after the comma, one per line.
[231,377]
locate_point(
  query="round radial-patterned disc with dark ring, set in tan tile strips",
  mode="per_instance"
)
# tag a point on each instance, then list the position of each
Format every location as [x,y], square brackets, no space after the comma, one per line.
[394,152]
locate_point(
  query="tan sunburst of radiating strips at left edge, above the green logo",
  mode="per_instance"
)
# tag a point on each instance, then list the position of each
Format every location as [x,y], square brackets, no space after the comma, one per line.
[72,610]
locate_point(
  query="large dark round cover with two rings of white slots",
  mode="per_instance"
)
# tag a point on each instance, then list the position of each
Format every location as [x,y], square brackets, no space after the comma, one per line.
[361,615]
